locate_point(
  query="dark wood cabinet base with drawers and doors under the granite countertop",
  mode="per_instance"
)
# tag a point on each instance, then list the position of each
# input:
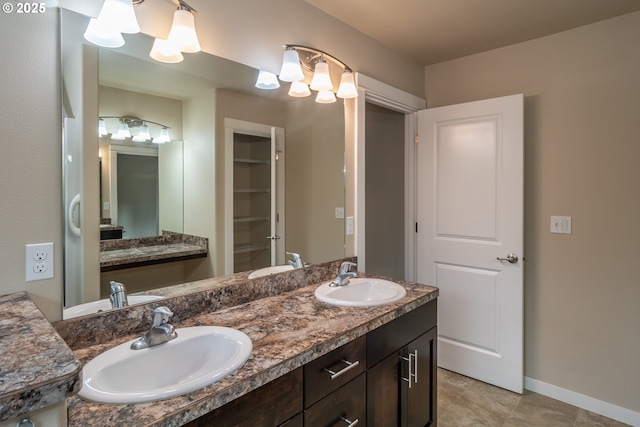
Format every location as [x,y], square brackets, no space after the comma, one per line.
[386,378]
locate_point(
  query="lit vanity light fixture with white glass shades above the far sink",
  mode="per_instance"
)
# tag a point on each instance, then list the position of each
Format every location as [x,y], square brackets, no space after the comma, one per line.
[298,58]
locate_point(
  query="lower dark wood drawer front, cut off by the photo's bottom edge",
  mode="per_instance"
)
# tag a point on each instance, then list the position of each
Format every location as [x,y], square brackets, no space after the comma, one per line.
[345,406]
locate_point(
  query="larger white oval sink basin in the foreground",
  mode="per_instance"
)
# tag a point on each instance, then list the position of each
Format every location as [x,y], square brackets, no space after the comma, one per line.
[199,356]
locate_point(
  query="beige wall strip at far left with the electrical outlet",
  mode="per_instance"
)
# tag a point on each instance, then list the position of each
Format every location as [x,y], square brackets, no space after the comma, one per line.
[30,153]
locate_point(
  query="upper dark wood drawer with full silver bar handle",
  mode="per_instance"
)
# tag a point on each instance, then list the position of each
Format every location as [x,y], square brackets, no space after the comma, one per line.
[346,363]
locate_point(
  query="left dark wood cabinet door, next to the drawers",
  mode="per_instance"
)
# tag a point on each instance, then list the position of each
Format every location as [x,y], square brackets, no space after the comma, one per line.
[383,392]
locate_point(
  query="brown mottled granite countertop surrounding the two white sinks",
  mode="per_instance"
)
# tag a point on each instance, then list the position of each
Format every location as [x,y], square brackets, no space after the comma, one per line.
[287,331]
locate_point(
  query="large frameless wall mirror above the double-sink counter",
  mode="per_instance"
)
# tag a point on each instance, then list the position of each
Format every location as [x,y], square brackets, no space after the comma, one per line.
[188,180]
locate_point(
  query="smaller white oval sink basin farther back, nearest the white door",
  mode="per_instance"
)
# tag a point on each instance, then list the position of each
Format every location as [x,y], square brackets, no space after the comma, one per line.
[361,292]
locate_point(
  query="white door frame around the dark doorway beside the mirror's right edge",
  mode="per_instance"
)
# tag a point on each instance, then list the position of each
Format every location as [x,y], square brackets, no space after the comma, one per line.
[381,94]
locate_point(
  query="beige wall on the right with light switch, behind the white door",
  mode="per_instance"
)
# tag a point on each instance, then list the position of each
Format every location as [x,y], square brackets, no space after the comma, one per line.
[582,100]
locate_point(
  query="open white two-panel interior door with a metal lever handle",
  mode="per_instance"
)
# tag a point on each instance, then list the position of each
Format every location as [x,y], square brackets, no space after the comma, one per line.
[470,218]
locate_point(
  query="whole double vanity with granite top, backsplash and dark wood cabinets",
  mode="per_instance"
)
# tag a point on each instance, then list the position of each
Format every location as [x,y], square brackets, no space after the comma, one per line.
[383,358]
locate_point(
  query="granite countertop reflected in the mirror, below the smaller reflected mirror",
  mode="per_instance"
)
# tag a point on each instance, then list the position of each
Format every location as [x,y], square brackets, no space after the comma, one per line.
[118,254]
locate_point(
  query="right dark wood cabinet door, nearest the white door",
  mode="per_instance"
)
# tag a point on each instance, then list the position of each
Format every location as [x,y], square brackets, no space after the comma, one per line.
[419,400]
